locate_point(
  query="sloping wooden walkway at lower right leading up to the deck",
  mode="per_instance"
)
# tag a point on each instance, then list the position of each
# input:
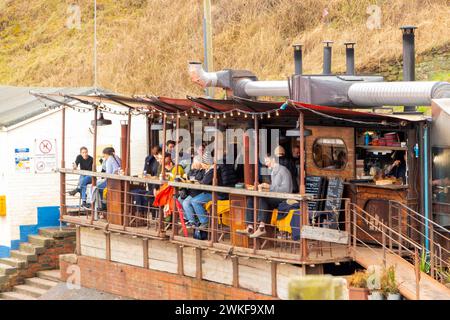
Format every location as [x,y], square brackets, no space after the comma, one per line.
[430,289]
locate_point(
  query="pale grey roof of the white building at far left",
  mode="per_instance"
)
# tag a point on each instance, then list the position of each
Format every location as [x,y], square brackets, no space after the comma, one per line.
[17,104]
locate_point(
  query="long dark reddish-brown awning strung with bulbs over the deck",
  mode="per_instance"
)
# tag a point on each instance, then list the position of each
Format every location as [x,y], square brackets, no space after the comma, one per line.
[212,107]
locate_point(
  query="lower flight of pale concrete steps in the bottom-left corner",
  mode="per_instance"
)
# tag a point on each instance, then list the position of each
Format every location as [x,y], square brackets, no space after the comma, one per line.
[33,287]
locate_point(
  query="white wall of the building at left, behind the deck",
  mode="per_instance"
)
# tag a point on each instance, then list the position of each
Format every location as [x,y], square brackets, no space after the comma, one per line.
[27,191]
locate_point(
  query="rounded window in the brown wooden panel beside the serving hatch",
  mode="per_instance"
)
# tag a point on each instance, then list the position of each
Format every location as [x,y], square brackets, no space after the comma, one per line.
[330,153]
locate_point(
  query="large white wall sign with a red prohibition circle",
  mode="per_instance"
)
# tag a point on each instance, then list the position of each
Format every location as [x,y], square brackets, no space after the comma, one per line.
[45,158]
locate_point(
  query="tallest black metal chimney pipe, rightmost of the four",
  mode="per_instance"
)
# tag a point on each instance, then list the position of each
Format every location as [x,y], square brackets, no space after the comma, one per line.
[409,60]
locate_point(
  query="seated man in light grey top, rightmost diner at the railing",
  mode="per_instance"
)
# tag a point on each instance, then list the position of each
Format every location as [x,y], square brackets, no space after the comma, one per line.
[281,181]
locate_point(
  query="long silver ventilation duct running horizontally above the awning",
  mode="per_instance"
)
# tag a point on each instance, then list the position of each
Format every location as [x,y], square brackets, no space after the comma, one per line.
[336,91]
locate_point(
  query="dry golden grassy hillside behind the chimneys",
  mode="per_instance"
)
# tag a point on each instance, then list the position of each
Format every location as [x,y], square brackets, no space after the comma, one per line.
[144,45]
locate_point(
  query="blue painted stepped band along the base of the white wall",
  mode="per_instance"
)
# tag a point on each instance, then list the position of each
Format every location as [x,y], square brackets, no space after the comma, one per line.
[46,217]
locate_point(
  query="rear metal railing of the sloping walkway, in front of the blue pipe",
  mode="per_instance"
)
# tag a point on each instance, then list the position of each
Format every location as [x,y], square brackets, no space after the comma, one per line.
[423,232]
